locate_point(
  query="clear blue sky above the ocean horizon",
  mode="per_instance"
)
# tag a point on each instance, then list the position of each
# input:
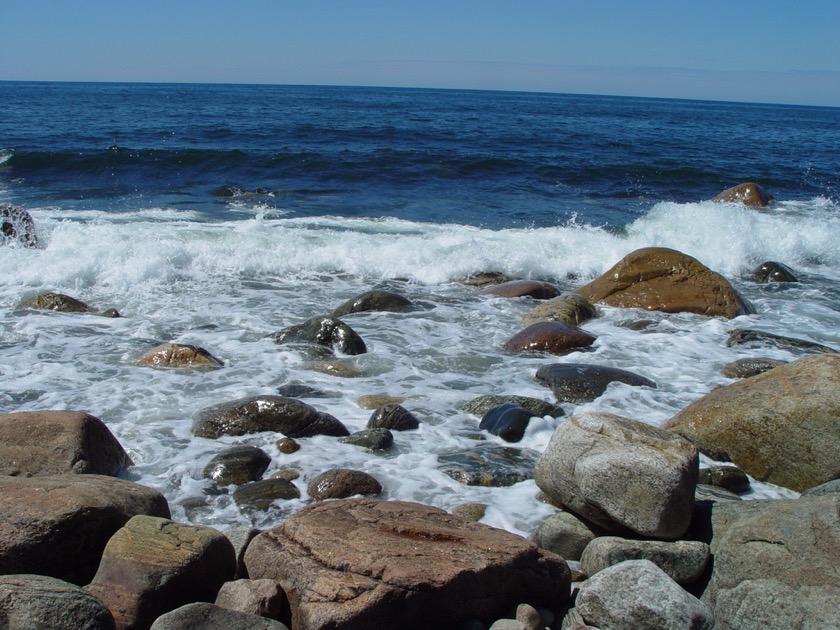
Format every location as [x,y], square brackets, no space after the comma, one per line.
[777,51]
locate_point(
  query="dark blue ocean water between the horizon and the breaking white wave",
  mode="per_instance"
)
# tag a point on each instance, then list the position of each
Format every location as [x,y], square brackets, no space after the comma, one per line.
[492,159]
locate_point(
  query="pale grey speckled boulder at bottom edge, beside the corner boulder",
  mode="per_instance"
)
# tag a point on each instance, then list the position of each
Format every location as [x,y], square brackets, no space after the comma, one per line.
[637,594]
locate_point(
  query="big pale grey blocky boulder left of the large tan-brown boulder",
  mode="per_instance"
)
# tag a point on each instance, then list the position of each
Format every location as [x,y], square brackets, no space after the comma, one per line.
[621,473]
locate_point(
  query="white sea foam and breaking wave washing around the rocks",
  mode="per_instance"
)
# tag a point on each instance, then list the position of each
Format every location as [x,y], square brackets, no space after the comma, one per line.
[227,285]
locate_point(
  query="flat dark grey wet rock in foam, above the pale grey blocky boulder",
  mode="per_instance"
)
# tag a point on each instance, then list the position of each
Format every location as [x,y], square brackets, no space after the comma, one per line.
[582,382]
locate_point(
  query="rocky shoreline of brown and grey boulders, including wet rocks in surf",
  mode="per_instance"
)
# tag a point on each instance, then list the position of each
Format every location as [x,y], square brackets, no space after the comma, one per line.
[642,537]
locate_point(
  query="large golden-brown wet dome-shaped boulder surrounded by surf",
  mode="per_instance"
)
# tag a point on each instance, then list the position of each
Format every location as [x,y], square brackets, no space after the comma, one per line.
[661,279]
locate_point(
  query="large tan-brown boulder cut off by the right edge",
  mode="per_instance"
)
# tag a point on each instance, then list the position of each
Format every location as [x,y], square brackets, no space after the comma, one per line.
[782,426]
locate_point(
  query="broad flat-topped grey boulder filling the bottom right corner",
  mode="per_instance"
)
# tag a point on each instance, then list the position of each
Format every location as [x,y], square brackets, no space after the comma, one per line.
[775,564]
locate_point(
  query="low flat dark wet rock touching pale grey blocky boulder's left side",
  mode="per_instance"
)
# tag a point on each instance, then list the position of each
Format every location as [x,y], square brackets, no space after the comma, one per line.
[489,465]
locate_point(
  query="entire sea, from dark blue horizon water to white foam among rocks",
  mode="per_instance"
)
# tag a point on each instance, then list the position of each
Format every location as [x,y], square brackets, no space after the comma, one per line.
[216,215]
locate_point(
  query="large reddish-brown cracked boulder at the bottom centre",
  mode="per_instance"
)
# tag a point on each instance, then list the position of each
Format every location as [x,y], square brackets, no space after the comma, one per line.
[360,563]
